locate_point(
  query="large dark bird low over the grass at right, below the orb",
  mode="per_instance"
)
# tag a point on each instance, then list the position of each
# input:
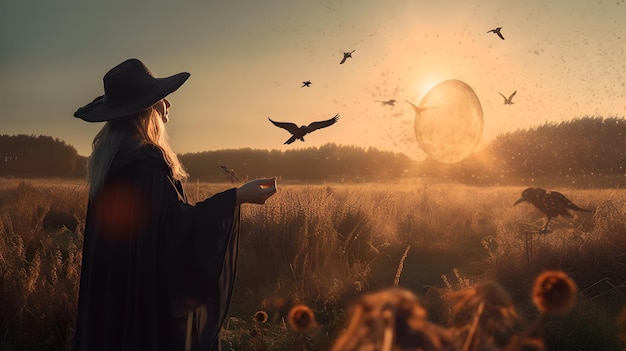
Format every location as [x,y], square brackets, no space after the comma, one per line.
[550,203]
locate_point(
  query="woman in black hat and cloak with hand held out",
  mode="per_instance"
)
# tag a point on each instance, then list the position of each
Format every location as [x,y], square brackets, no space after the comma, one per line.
[157,272]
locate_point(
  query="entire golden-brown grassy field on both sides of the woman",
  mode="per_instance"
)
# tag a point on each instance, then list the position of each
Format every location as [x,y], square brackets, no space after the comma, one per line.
[326,245]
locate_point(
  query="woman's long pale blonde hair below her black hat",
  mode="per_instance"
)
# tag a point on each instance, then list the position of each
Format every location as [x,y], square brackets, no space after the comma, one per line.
[129,134]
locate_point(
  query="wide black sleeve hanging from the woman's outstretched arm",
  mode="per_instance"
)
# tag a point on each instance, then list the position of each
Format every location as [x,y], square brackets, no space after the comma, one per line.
[203,265]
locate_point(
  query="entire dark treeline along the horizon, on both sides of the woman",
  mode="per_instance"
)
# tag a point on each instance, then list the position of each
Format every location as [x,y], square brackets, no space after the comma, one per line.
[581,152]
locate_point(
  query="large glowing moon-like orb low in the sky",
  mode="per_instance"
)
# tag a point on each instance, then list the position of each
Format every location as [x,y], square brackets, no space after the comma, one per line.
[449,121]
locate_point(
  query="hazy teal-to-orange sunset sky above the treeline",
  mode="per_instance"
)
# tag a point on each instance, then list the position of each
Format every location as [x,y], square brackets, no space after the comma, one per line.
[248,60]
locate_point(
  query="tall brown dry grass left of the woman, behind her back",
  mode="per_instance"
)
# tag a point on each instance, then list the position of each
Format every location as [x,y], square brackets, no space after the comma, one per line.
[39,269]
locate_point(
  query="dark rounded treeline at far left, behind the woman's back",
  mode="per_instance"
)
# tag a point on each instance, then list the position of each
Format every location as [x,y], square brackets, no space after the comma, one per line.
[39,156]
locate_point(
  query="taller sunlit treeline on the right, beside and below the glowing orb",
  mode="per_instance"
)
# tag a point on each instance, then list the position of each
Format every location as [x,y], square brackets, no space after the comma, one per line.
[581,151]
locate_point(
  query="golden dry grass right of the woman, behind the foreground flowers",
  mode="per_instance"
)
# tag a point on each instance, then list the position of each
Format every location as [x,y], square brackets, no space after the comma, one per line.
[326,245]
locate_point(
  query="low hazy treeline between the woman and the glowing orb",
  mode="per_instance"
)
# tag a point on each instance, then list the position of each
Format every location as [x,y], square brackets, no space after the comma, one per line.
[329,162]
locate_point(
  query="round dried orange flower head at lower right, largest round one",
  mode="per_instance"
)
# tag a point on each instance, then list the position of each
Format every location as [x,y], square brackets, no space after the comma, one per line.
[554,292]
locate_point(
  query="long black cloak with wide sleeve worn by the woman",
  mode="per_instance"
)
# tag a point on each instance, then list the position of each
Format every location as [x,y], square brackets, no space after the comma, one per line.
[157,273]
